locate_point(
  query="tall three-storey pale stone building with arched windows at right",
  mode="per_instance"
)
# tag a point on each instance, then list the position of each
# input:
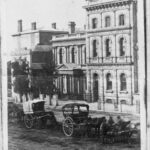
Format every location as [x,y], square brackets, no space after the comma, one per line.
[112,77]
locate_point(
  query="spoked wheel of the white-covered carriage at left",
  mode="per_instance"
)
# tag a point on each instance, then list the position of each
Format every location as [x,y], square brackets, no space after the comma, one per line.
[28,121]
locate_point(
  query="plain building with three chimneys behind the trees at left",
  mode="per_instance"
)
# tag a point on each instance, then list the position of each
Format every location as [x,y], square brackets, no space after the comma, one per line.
[34,47]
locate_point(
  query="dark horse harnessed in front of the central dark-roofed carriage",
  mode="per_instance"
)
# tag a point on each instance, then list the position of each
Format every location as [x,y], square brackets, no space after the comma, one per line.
[95,123]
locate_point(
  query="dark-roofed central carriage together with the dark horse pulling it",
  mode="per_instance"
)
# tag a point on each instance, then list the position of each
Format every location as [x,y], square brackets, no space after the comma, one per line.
[77,119]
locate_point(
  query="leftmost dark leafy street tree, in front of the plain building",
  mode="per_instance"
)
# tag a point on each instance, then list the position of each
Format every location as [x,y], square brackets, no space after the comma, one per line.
[21,77]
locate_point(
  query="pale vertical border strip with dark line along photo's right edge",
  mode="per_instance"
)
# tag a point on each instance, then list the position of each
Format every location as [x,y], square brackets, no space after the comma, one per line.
[144,67]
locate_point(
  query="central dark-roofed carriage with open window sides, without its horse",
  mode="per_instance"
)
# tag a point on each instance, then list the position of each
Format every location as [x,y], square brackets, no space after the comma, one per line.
[76,117]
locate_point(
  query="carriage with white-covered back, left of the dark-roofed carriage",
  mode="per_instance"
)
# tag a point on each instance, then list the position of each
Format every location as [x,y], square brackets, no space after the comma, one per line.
[34,114]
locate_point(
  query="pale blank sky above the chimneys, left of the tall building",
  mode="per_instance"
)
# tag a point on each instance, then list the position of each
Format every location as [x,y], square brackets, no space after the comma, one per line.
[44,12]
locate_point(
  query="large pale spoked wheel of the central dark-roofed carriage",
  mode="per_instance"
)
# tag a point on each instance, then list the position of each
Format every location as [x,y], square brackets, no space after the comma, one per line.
[68,127]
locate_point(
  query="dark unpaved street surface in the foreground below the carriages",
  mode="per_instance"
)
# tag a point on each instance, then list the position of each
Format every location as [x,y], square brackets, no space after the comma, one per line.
[21,138]
